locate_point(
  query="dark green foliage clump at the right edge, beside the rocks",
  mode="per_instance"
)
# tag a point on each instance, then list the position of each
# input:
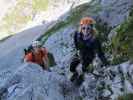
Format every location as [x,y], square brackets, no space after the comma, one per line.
[123,41]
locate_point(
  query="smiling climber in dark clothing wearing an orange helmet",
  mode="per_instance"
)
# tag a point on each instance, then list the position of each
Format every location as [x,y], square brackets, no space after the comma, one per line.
[87,46]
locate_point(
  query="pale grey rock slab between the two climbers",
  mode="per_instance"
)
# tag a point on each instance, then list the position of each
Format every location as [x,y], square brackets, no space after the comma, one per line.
[60,45]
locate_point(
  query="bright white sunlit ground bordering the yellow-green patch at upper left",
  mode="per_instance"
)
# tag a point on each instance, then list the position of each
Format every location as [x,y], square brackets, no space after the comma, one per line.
[51,14]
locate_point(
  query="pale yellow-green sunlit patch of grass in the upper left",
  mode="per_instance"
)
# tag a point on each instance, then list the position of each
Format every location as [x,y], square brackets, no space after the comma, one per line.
[21,14]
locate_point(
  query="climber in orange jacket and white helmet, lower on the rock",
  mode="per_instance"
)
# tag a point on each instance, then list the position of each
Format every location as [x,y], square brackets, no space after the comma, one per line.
[38,55]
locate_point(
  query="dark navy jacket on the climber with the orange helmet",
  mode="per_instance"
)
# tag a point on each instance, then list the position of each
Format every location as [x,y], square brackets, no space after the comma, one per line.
[88,48]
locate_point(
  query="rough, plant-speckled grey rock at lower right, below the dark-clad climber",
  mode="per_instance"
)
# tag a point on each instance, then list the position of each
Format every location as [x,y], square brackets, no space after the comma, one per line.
[113,82]
